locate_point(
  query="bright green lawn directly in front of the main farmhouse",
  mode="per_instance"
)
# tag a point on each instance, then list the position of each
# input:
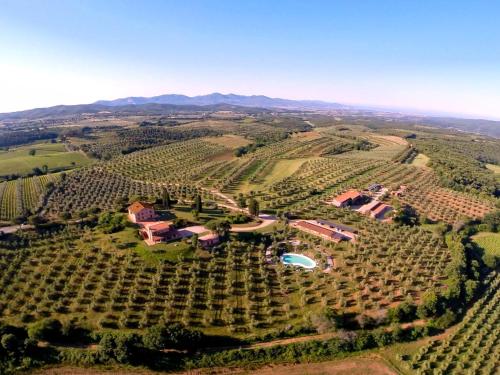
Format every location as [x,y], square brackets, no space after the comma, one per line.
[174,251]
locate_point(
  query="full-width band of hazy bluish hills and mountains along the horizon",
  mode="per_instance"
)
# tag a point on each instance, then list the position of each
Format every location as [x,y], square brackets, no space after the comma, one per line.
[172,103]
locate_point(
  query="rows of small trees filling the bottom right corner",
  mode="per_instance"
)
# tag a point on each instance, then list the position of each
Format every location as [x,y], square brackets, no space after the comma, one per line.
[472,347]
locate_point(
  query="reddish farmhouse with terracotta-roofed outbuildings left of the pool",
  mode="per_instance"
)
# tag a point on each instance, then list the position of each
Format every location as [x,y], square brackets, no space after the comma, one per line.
[155,231]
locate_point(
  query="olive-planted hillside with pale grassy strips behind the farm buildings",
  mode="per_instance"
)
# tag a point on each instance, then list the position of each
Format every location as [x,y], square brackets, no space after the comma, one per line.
[314,172]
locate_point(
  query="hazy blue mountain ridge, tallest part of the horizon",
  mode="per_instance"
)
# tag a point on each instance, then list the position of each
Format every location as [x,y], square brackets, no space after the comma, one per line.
[258,101]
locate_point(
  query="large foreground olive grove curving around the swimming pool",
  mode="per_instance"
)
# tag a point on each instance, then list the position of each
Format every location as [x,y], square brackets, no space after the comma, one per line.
[236,290]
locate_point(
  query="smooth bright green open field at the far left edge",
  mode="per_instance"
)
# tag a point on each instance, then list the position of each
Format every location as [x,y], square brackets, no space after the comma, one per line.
[54,155]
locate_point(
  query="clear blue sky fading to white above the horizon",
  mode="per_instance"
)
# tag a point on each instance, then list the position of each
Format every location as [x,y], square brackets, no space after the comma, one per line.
[441,56]
